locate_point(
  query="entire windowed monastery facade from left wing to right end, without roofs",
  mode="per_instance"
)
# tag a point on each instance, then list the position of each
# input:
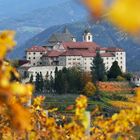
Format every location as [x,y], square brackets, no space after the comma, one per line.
[80,61]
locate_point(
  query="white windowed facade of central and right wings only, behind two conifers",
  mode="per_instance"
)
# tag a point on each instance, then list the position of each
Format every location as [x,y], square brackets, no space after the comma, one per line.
[85,62]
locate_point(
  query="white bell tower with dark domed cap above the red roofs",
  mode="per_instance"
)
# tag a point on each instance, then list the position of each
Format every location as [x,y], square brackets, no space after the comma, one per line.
[87,36]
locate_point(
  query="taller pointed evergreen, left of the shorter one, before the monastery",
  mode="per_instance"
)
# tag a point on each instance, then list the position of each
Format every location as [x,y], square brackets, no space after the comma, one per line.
[98,69]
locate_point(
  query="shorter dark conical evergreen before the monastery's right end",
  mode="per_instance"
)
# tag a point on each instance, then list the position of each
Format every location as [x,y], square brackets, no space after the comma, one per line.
[114,71]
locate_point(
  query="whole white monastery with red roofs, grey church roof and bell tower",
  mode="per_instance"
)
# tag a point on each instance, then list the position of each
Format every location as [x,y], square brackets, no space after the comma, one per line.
[63,50]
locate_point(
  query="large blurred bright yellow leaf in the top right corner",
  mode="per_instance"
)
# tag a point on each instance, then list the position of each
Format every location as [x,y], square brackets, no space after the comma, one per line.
[125,14]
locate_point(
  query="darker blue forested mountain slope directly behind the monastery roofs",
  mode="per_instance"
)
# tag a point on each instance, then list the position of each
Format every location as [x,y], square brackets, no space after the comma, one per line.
[103,34]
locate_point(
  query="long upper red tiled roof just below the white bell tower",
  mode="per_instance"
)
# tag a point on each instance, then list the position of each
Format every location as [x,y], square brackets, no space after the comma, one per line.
[80,45]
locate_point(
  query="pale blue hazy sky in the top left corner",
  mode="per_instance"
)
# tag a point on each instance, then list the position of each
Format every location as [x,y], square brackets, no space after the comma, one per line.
[17,7]
